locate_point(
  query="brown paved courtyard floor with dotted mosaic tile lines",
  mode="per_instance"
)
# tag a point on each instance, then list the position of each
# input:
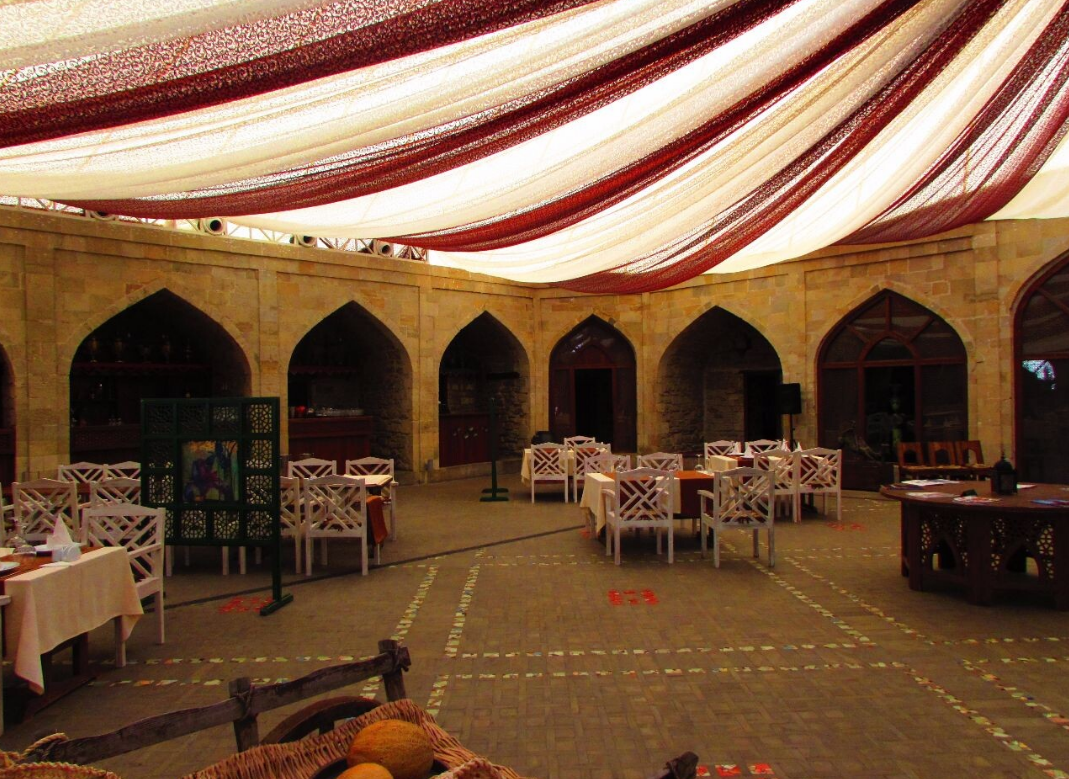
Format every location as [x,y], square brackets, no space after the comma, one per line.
[536,651]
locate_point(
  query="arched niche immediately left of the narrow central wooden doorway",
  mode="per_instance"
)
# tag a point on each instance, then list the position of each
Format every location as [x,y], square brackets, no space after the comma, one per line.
[484,362]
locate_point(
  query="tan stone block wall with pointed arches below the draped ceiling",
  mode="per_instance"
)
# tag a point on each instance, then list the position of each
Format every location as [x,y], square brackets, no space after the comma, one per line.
[63,276]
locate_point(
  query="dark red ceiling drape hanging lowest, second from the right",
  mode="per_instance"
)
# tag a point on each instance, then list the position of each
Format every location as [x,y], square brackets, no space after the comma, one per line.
[773,200]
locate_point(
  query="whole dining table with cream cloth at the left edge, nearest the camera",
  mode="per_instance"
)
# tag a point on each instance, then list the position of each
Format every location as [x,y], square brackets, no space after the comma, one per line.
[55,604]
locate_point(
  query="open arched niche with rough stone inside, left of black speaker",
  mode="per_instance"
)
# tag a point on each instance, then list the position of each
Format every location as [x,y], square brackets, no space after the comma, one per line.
[720,380]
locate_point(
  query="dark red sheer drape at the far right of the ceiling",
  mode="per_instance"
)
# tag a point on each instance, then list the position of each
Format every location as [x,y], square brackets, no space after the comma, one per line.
[1000,151]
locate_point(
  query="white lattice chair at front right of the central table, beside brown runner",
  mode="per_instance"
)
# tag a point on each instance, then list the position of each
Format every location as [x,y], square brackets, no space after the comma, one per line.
[742,500]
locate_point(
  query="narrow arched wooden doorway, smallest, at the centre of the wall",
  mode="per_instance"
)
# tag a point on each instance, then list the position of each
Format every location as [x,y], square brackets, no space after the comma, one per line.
[593,386]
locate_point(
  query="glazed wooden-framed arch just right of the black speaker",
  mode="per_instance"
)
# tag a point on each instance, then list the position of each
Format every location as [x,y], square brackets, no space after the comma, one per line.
[892,371]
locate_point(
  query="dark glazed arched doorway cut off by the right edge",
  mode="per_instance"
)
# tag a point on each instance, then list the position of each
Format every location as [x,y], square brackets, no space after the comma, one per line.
[1042,360]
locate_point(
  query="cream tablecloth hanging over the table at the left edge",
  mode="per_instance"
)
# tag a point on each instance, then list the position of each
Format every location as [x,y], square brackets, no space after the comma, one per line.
[51,605]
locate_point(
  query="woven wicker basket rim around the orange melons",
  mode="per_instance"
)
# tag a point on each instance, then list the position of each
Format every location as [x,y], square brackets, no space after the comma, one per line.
[301,760]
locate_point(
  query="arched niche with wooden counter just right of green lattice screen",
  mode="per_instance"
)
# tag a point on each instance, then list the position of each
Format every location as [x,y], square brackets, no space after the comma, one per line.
[357,377]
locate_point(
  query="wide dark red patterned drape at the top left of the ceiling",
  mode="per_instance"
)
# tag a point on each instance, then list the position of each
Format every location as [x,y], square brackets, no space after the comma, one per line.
[166,79]
